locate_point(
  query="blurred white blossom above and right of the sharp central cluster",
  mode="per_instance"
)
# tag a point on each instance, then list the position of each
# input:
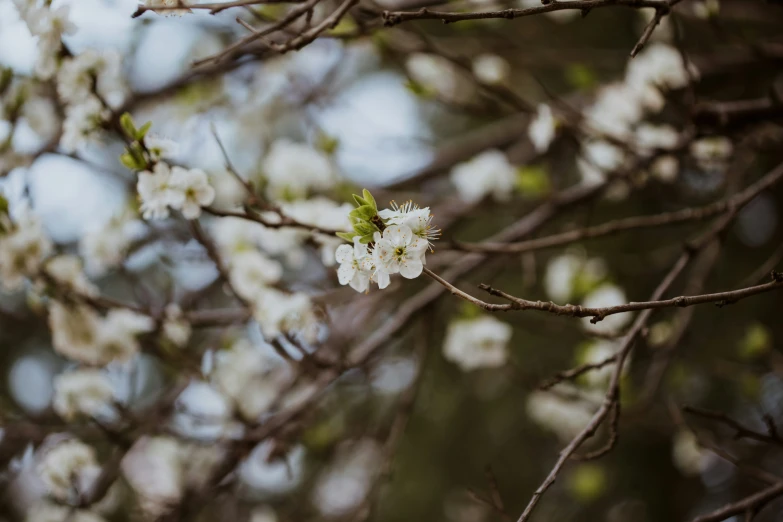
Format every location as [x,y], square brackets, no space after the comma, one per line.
[488,173]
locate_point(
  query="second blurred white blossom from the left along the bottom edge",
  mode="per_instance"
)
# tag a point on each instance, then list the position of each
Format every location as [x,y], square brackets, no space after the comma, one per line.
[154,469]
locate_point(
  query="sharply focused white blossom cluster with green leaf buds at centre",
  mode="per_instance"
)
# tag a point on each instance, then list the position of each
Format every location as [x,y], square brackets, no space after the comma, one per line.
[384,243]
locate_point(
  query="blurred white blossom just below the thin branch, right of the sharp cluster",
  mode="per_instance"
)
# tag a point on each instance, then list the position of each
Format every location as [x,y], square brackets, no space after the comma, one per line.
[477,343]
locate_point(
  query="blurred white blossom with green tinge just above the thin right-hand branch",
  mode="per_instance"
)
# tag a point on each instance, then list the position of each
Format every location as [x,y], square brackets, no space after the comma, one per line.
[572,274]
